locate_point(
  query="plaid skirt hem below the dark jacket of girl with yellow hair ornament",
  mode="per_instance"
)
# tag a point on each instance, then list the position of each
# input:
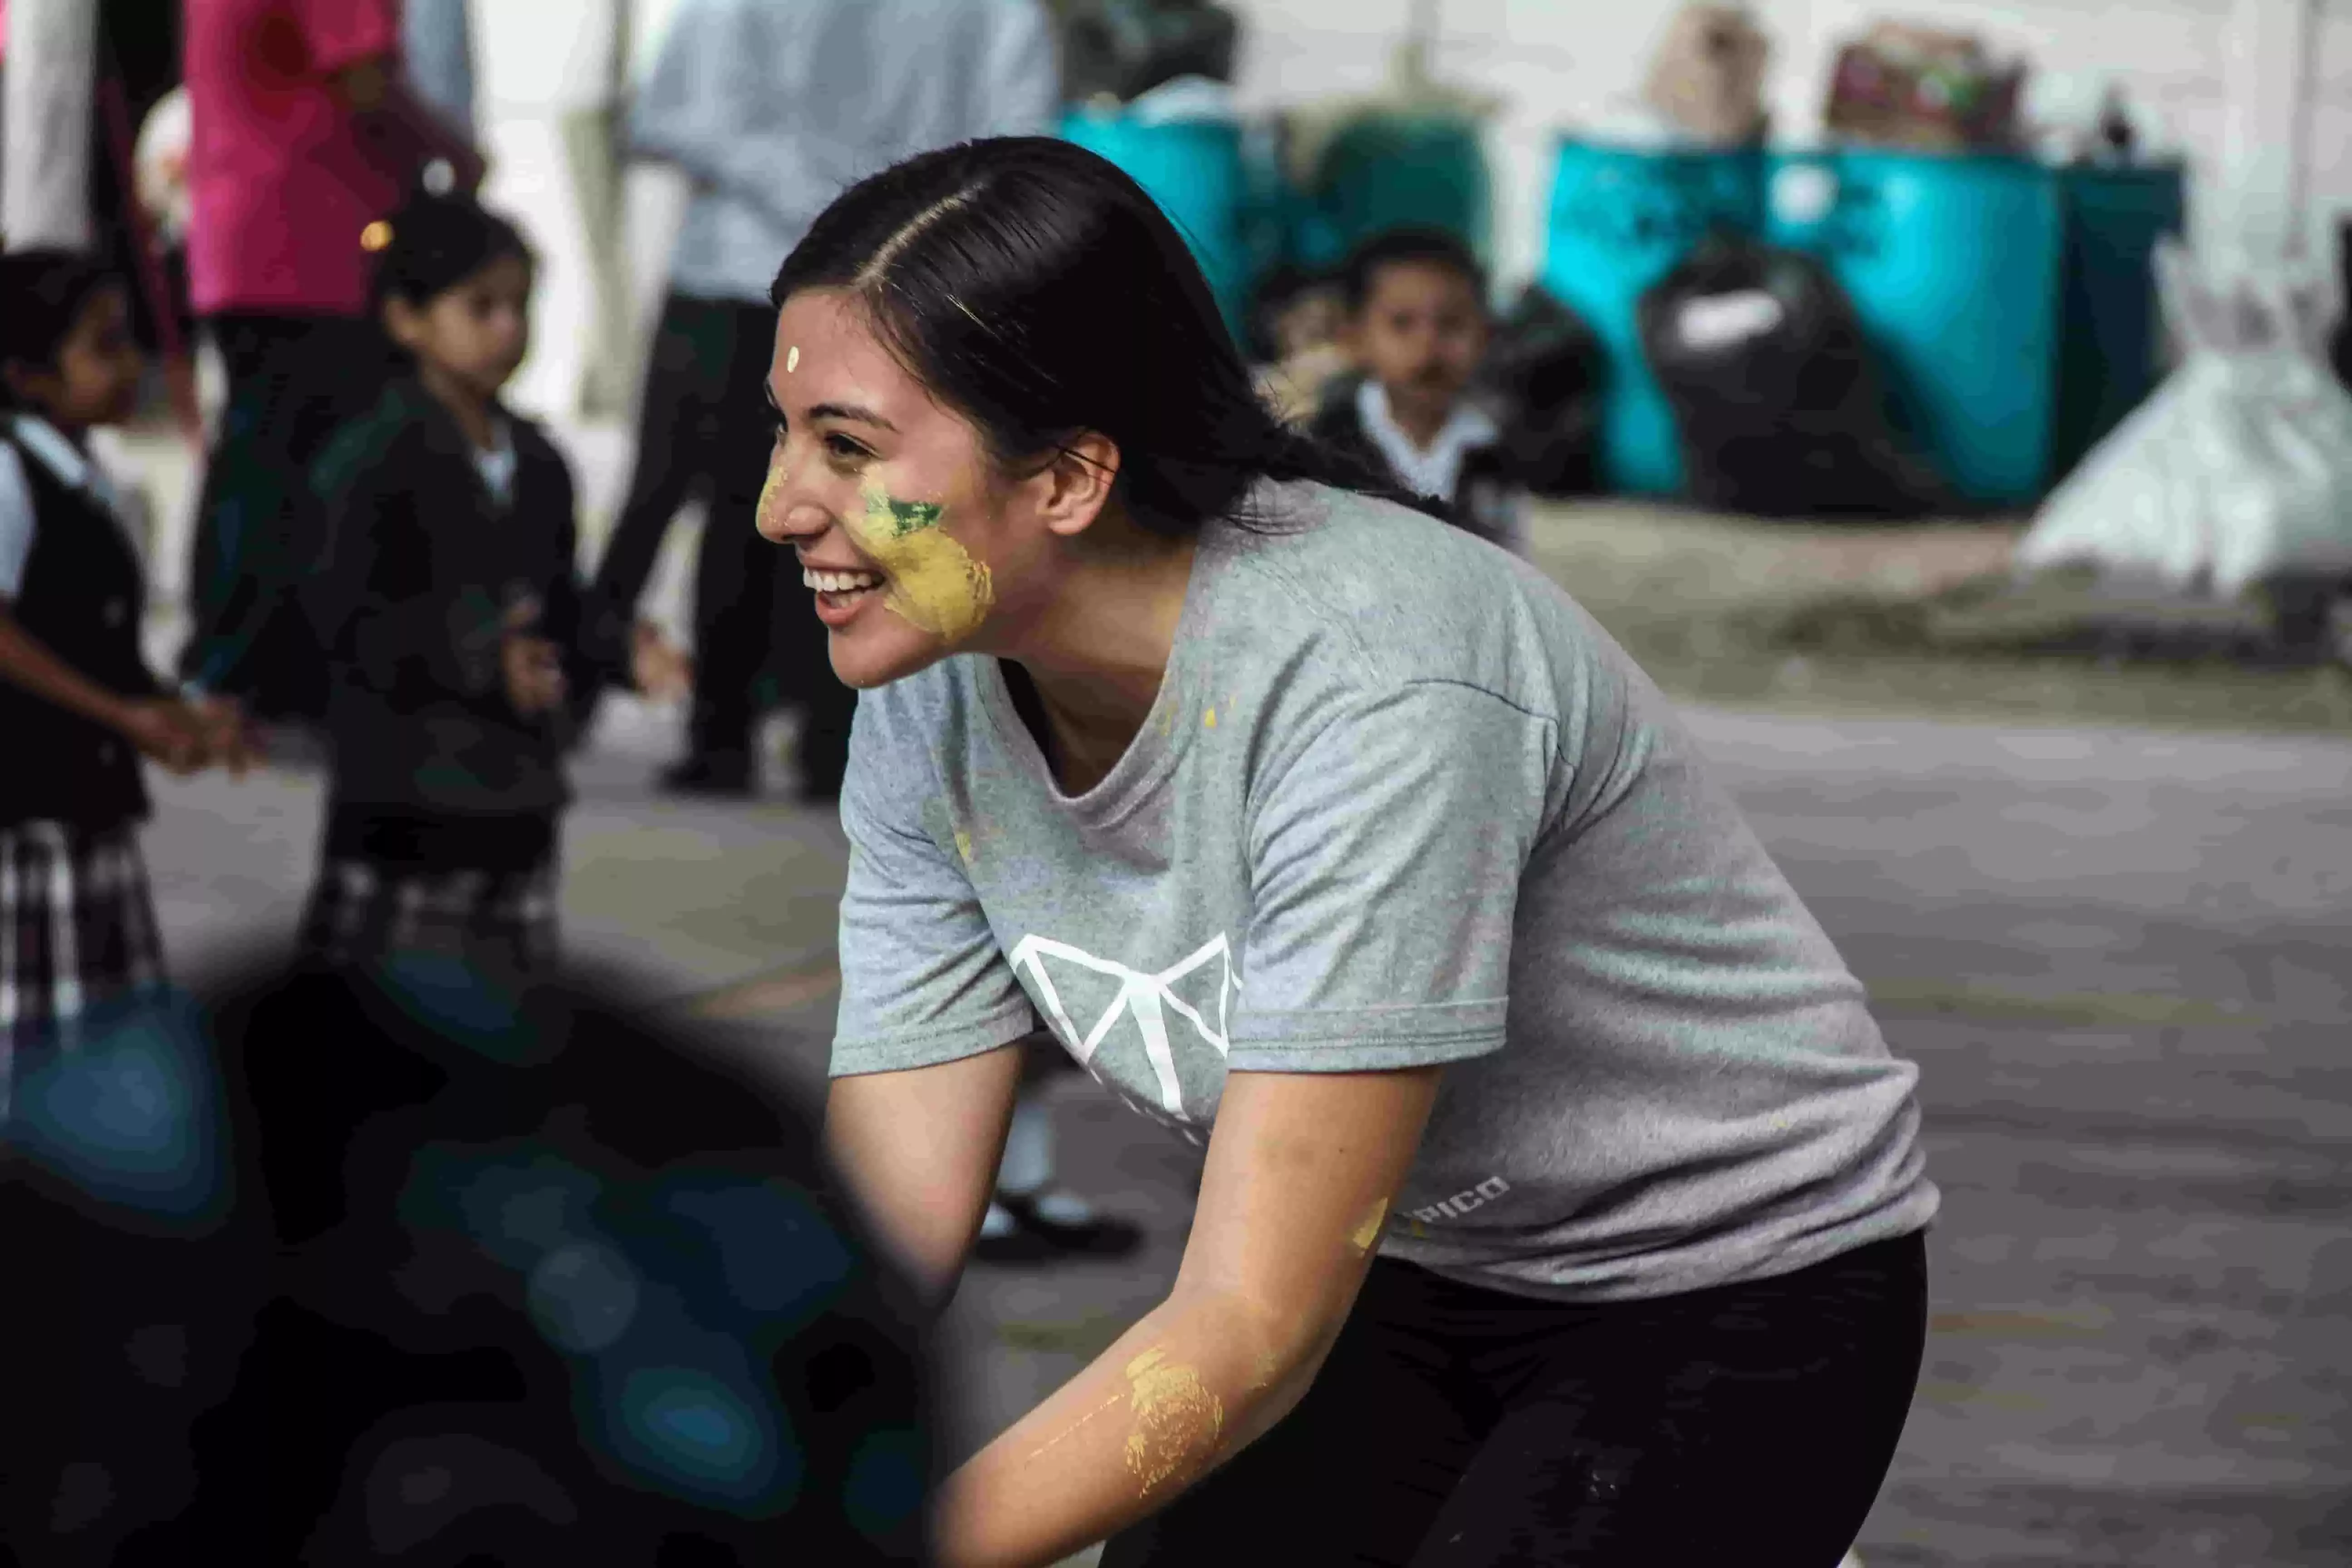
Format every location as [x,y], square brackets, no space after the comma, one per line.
[366,911]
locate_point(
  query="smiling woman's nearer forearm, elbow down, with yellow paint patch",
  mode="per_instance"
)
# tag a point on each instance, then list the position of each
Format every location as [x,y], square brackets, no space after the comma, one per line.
[1187,1388]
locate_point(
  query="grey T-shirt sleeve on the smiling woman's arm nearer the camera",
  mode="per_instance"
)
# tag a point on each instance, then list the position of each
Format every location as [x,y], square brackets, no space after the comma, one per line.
[1387,869]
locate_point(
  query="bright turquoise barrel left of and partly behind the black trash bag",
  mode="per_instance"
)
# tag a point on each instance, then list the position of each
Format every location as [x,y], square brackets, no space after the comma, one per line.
[1619,222]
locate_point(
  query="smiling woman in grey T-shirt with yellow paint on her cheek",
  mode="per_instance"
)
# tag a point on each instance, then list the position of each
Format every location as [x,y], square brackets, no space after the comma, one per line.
[1556,1167]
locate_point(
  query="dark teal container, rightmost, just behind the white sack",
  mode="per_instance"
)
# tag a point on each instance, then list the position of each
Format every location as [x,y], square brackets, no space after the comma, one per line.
[2111,356]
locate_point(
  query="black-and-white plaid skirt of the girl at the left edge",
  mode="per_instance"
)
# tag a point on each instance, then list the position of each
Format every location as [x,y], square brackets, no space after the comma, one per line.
[76,932]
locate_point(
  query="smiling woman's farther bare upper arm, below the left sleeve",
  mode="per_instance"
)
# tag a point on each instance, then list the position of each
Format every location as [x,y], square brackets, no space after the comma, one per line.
[921,1153]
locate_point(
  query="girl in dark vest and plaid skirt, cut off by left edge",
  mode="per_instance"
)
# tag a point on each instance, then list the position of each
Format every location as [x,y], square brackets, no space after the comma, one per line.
[79,704]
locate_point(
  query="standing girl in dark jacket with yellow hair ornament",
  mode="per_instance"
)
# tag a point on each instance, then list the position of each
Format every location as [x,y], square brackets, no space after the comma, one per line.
[450,610]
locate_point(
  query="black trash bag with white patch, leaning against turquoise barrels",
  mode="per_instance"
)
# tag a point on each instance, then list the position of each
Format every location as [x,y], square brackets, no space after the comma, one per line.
[1775,391]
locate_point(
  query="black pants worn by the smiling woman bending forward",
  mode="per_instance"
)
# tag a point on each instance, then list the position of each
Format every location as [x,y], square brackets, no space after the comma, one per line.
[1462,1428]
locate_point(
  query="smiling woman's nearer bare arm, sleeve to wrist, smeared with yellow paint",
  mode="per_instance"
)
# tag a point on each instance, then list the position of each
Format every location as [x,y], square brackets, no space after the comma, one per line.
[1299,1179]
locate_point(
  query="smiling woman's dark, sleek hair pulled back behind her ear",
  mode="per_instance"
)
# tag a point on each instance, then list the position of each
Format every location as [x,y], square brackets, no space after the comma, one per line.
[1043,295]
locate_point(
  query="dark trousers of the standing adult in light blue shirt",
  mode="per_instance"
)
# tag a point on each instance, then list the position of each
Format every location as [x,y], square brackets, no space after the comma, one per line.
[707,431]
